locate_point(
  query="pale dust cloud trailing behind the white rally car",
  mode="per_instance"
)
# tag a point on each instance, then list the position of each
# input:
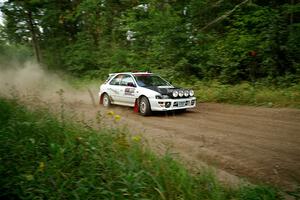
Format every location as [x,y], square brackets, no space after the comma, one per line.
[31,80]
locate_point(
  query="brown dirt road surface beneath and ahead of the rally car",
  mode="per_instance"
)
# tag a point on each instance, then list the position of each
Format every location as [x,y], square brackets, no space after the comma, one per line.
[259,144]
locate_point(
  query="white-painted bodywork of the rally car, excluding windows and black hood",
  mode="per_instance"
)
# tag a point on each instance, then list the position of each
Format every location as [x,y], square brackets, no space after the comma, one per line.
[127,95]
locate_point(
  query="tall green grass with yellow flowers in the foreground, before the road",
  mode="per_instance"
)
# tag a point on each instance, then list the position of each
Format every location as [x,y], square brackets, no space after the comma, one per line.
[42,157]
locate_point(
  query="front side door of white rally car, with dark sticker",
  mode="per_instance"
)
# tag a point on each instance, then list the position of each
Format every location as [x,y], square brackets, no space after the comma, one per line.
[128,89]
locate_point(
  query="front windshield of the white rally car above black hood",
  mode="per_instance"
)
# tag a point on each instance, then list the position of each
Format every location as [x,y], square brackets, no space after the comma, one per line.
[148,80]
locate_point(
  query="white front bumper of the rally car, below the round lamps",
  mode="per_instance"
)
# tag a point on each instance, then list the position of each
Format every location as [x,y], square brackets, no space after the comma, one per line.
[172,104]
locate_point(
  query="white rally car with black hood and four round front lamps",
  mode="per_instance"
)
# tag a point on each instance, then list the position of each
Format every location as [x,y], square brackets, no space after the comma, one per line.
[144,91]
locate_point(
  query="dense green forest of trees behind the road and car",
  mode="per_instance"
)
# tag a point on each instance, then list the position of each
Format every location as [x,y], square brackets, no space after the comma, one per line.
[226,40]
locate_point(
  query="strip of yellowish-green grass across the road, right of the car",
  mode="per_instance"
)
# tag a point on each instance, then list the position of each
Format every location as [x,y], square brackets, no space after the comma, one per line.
[247,94]
